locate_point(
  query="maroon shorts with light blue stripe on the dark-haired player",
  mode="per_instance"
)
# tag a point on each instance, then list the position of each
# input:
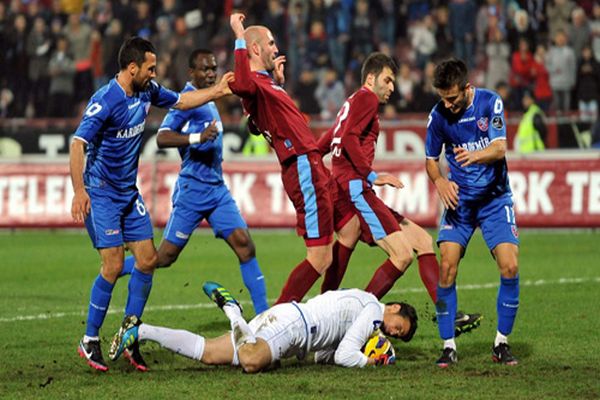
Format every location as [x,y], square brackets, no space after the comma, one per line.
[377,220]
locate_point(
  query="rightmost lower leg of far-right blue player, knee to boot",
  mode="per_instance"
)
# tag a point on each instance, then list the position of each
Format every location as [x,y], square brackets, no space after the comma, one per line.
[506,255]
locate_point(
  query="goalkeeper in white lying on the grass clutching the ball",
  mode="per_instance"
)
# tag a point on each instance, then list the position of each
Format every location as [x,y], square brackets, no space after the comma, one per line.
[335,325]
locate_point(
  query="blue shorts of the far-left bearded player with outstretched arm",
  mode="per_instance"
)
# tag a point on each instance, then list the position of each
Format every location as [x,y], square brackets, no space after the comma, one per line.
[117,217]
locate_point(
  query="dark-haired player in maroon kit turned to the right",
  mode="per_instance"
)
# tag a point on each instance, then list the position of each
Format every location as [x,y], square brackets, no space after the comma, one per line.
[358,212]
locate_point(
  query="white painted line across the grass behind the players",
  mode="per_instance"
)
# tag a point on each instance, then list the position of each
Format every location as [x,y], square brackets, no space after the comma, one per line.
[169,307]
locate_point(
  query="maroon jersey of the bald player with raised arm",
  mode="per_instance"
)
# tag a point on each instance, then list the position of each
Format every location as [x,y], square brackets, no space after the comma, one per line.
[272,110]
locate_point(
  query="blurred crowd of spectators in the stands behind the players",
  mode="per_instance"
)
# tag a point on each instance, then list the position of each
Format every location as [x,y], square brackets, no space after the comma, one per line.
[55,53]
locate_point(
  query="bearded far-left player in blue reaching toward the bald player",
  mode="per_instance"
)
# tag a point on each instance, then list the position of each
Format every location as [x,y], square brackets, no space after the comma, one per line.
[105,195]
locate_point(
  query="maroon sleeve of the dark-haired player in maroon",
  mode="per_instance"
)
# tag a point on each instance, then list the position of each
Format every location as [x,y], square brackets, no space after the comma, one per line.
[362,110]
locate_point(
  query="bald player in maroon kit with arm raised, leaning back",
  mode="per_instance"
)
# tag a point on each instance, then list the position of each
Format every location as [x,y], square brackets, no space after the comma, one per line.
[304,176]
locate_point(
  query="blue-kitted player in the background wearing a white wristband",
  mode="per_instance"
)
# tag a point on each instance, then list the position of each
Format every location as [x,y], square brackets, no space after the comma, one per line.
[200,191]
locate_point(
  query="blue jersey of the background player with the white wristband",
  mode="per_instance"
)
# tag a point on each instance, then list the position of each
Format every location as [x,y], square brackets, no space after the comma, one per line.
[200,161]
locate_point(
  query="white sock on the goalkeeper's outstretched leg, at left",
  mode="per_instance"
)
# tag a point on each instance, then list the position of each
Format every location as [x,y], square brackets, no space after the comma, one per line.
[182,342]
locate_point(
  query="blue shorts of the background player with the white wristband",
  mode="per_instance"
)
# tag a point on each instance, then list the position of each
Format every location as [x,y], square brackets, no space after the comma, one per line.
[193,202]
